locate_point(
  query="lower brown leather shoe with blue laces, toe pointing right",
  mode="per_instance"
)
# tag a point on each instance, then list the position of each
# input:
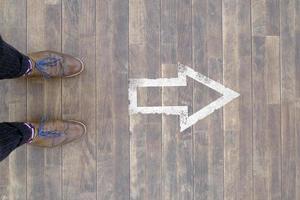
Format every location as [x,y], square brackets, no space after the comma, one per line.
[57,132]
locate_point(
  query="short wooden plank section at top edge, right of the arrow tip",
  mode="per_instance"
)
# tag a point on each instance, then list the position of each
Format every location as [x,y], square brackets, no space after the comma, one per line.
[265,17]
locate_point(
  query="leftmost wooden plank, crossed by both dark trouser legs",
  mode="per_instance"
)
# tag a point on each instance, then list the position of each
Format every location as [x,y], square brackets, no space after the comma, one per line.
[13,100]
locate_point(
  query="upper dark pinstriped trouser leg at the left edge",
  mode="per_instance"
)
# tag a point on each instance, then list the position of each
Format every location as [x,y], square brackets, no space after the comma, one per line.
[13,64]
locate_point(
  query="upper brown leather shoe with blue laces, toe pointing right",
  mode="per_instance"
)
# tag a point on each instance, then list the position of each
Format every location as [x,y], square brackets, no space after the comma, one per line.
[51,64]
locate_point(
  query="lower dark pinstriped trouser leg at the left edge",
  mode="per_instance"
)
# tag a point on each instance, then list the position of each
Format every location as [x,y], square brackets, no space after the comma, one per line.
[13,135]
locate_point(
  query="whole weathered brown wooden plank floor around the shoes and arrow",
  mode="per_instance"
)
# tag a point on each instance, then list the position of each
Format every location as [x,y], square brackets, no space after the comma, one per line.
[248,150]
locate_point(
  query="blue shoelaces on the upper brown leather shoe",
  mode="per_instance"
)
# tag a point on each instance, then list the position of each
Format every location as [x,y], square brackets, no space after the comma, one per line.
[44,64]
